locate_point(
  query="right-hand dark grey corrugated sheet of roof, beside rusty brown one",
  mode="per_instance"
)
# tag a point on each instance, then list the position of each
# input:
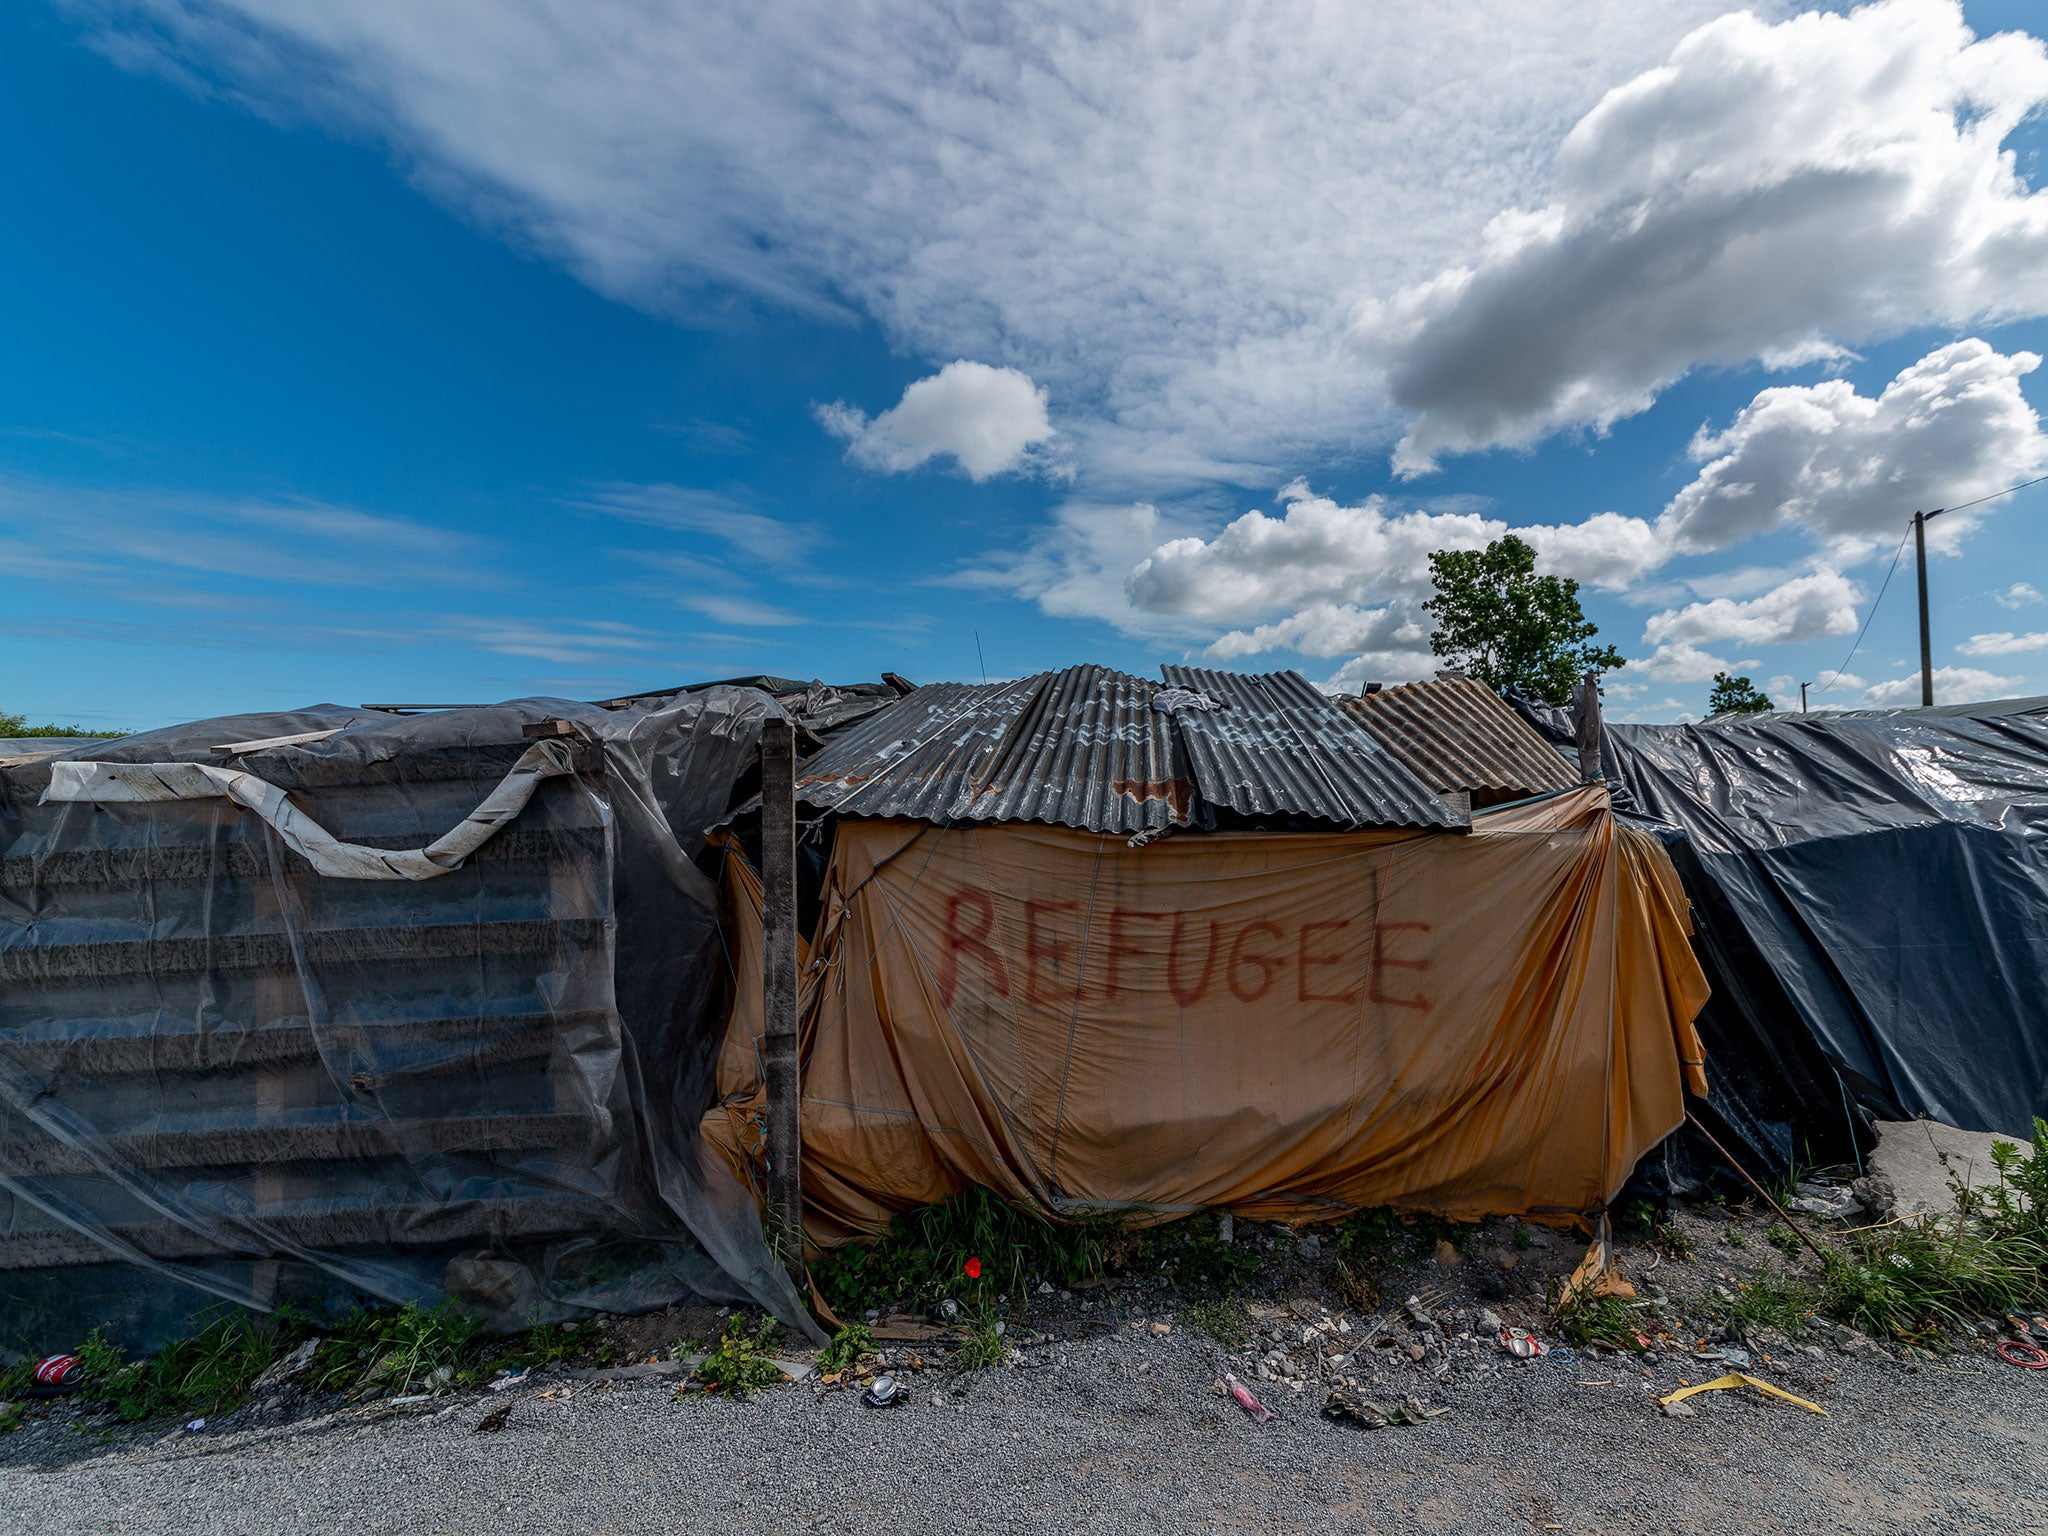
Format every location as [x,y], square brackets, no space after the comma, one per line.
[1283,749]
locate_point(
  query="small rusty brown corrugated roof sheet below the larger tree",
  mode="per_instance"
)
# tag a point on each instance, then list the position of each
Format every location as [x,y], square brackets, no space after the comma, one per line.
[1457,734]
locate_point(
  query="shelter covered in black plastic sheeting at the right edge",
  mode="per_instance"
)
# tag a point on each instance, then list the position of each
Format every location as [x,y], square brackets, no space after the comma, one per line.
[1873,902]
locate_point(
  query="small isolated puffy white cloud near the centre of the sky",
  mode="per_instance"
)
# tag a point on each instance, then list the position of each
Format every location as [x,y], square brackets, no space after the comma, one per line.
[988,421]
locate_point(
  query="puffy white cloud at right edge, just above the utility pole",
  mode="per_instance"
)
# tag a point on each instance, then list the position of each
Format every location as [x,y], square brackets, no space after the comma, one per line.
[1852,468]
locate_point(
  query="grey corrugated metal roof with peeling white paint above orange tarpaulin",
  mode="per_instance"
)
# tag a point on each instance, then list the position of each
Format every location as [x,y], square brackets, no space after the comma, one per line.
[1086,749]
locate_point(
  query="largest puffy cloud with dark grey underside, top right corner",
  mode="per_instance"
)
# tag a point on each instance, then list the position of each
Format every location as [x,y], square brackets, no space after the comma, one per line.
[1773,194]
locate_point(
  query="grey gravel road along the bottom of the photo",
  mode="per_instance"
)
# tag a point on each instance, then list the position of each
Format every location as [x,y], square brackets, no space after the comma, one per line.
[1125,1437]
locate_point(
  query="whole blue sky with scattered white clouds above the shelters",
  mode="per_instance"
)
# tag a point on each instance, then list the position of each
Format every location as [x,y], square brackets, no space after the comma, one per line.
[484,349]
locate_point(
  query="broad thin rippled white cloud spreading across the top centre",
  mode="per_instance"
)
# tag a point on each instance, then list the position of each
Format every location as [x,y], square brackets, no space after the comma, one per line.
[1164,218]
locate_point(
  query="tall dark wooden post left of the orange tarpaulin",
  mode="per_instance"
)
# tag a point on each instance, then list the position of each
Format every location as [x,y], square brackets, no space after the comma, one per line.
[779,992]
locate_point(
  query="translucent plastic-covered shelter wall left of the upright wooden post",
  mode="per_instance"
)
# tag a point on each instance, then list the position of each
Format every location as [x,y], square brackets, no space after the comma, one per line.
[267,1082]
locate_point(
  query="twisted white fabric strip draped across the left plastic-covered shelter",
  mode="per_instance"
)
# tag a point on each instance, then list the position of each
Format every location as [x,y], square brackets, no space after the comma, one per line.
[140,783]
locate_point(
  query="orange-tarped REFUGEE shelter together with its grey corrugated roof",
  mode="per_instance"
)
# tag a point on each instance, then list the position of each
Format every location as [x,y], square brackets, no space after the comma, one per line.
[1107,943]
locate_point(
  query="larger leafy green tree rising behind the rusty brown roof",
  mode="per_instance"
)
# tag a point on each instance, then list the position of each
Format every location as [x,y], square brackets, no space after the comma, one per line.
[1510,628]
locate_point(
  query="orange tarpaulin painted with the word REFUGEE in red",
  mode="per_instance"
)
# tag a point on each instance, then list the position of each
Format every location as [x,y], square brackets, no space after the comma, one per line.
[1281,1025]
